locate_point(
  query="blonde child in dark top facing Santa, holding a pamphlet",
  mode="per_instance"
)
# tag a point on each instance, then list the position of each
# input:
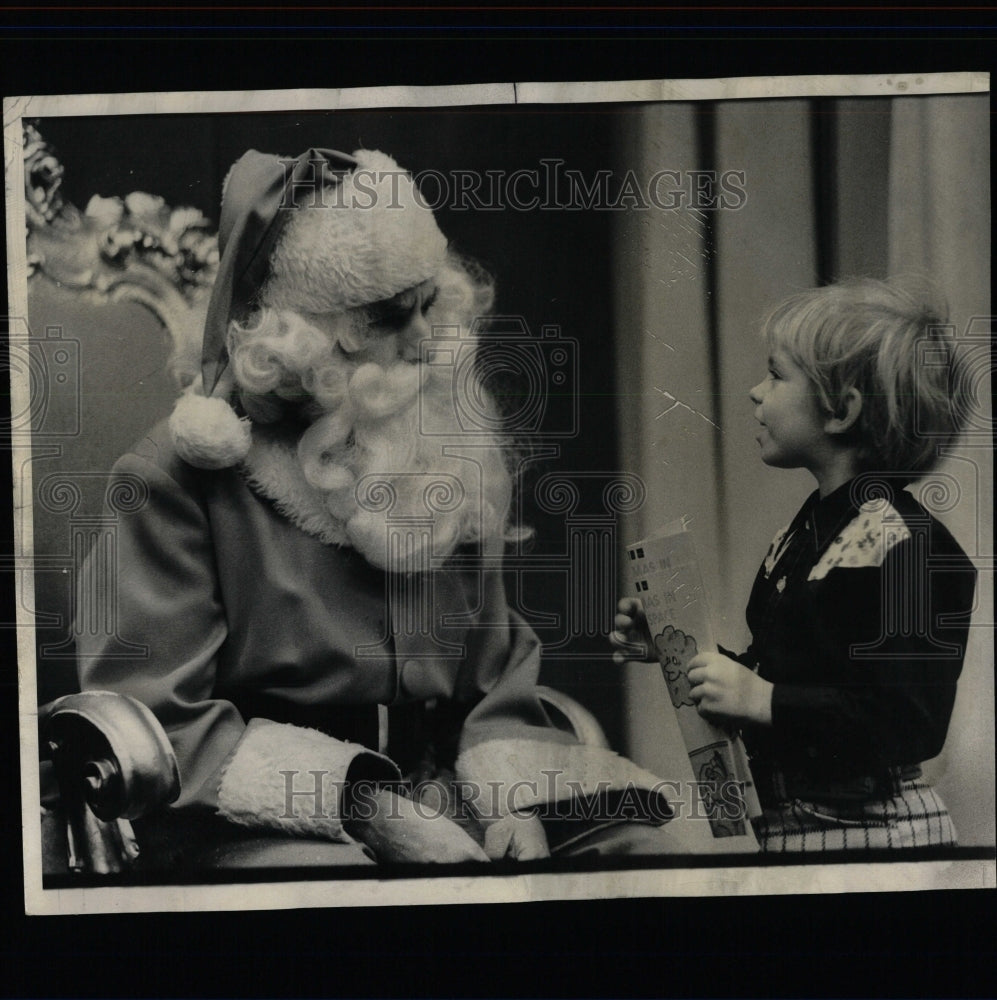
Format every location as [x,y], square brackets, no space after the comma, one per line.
[860,611]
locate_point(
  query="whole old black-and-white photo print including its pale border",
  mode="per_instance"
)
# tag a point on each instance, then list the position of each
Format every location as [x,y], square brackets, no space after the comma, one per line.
[521,492]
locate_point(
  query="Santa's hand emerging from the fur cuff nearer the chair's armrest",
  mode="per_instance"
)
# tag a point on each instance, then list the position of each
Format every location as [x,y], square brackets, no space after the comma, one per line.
[397,829]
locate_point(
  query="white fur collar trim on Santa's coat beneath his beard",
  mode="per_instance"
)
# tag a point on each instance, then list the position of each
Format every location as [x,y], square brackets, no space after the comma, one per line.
[272,469]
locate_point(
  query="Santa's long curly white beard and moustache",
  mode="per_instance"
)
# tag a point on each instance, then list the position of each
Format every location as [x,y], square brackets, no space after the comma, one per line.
[392,464]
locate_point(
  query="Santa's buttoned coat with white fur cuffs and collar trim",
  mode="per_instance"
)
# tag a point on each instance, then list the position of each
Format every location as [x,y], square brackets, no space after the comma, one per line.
[235,594]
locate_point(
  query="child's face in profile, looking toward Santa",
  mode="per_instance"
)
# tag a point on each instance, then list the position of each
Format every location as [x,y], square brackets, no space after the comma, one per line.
[792,434]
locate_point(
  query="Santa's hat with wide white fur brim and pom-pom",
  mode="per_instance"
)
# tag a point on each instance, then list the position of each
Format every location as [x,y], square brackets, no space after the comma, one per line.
[321,233]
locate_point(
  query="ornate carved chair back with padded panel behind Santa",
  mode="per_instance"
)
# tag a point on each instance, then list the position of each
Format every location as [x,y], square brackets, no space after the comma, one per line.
[117,294]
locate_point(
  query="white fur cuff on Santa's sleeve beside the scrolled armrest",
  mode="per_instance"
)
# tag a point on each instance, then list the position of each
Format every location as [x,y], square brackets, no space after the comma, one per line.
[291,779]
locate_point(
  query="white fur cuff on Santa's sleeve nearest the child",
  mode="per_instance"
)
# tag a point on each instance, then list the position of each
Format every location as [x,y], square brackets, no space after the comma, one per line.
[515,774]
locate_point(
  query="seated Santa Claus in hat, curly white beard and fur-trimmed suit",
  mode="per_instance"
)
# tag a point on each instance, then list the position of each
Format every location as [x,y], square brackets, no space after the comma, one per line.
[316,573]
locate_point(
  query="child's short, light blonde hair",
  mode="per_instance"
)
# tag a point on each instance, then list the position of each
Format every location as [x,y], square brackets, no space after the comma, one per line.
[889,340]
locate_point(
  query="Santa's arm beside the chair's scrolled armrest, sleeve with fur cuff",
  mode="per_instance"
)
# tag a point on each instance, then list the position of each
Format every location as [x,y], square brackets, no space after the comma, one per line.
[168,607]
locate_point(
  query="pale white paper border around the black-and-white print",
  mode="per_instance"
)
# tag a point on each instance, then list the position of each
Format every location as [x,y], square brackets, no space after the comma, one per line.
[746,879]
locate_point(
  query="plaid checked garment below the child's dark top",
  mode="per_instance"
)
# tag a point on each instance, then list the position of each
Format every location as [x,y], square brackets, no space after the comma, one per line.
[916,817]
